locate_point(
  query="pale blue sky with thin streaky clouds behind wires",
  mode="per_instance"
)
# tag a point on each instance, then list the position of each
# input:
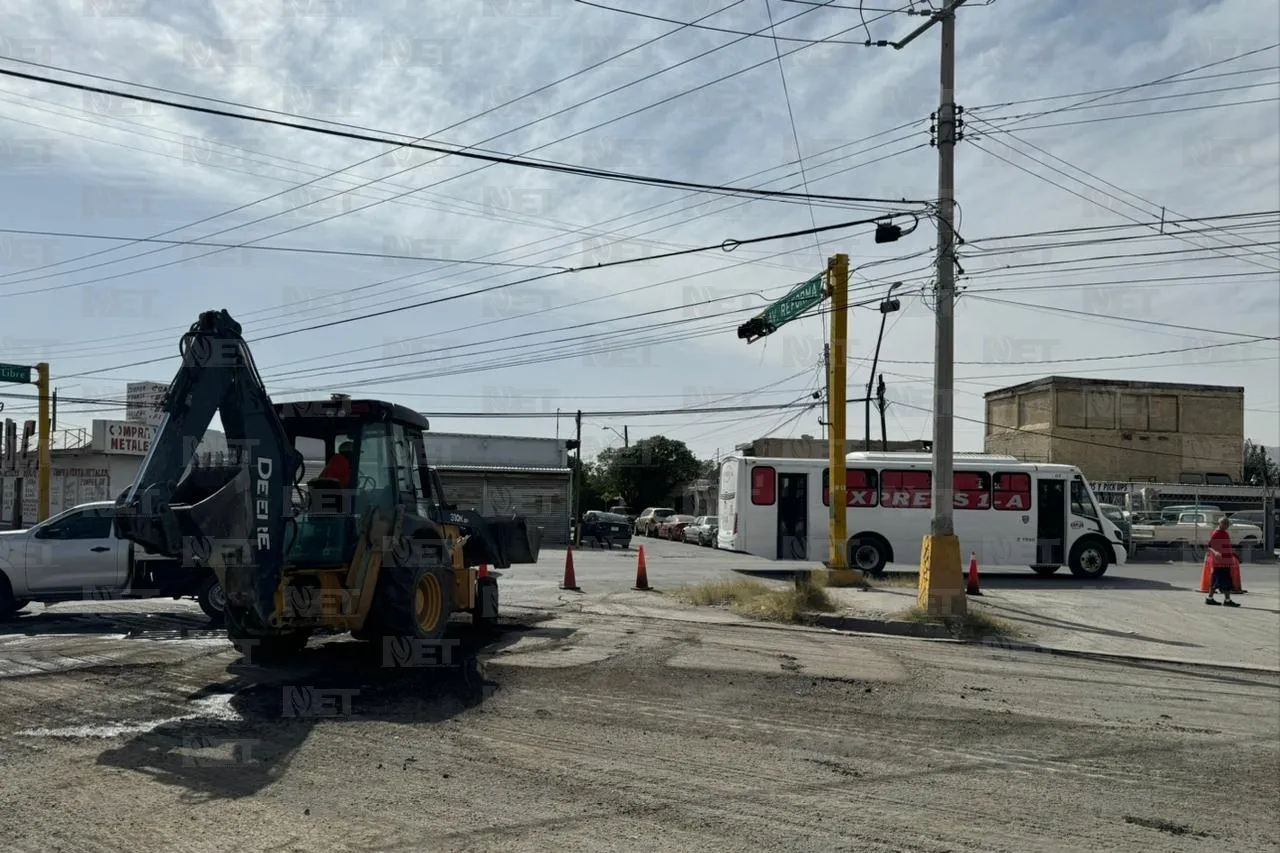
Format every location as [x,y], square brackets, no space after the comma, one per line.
[1055,140]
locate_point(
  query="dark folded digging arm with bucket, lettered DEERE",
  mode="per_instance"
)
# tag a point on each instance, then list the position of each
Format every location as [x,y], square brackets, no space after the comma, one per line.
[239,513]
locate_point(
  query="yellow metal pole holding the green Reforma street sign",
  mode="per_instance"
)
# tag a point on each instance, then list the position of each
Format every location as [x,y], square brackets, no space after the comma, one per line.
[839,574]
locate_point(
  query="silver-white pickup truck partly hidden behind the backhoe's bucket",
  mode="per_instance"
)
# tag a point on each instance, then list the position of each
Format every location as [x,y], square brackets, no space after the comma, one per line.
[77,556]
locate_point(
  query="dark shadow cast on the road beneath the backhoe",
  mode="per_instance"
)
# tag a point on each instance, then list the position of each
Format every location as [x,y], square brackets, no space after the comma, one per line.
[235,737]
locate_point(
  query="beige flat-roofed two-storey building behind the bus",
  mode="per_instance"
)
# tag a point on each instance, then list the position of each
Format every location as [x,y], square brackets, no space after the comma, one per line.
[1123,431]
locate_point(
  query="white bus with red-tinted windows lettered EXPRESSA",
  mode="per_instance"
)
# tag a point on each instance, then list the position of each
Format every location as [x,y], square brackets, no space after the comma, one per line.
[1009,513]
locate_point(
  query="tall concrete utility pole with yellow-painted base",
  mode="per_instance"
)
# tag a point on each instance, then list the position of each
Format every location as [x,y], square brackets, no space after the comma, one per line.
[941,586]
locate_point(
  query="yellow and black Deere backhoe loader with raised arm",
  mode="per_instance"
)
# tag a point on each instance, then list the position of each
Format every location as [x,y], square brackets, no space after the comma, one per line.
[369,548]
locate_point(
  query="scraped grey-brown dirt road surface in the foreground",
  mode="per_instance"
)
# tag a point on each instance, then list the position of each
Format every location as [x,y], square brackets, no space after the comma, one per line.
[591,733]
